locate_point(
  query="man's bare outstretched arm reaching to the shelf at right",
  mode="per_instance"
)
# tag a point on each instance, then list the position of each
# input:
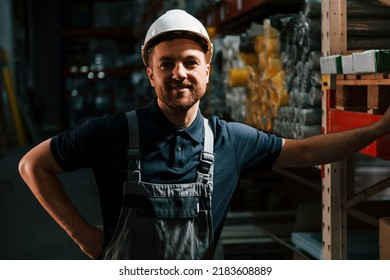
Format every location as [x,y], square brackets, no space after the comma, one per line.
[327,148]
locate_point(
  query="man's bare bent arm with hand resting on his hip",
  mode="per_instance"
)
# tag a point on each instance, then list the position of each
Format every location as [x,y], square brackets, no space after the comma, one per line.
[38,169]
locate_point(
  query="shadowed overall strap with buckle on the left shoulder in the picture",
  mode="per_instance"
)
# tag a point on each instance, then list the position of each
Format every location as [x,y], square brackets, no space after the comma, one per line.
[133,150]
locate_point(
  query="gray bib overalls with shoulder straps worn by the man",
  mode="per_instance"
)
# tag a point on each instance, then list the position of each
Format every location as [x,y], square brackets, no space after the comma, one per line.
[164,221]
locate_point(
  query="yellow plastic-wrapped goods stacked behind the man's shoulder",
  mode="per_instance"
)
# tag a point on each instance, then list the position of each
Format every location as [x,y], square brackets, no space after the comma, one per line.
[261,77]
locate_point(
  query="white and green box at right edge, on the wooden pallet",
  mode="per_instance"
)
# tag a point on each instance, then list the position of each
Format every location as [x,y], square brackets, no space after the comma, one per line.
[371,61]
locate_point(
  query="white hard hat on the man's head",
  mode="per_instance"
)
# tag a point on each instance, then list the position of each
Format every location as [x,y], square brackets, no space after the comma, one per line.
[176,24]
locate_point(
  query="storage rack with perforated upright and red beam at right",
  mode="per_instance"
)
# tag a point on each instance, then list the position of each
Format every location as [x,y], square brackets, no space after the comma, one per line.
[349,101]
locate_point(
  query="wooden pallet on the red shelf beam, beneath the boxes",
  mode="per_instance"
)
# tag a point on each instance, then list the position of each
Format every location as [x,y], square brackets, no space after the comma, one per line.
[364,93]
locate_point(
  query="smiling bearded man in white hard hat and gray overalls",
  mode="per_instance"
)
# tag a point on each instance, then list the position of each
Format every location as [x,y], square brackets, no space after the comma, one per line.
[167,195]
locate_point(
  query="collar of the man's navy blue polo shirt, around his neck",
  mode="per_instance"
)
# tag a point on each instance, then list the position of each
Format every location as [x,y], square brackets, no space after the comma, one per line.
[162,125]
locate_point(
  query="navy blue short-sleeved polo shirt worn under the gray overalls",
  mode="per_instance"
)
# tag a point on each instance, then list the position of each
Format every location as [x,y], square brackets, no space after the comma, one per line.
[170,154]
